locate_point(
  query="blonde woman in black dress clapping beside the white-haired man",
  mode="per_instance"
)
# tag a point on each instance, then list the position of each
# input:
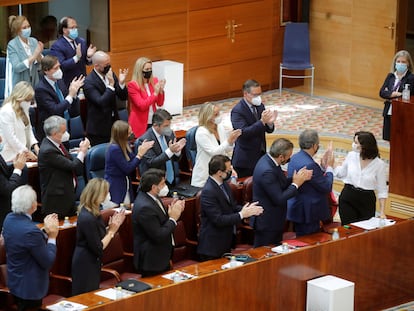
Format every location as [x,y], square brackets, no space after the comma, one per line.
[92,236]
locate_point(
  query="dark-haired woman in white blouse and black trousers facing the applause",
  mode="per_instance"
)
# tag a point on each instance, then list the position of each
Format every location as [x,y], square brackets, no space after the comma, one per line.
[363,173]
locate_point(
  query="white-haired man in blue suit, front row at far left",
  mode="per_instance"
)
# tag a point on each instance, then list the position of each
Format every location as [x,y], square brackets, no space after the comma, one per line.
[29,255]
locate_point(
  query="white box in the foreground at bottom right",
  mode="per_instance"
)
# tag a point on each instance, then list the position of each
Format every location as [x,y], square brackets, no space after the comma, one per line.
[330,293]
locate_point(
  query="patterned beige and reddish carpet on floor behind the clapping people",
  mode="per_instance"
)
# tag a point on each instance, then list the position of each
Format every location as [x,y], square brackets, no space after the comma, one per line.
[297,111]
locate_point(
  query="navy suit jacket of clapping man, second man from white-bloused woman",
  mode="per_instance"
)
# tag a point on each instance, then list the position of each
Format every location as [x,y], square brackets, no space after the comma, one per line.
[272,189]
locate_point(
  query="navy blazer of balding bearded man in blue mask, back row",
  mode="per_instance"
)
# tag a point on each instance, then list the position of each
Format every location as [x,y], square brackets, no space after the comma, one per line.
[65,52]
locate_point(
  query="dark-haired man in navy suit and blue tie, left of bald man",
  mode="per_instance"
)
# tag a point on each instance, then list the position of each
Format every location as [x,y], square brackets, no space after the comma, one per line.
[52,95]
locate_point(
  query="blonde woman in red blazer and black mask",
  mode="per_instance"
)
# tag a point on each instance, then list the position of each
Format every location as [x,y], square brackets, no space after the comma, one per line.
[145,96]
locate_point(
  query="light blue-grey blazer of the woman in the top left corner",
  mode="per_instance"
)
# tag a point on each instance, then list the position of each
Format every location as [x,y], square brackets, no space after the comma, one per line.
[16,55]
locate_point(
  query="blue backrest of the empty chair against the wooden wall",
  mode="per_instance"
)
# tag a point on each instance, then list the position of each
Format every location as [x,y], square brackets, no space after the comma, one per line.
[296,46]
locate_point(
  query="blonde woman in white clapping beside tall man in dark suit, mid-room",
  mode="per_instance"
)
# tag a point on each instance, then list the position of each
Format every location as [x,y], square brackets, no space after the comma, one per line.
[211,139]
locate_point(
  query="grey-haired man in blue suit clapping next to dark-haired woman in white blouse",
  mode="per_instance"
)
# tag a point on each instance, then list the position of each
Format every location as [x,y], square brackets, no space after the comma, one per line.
[310,206]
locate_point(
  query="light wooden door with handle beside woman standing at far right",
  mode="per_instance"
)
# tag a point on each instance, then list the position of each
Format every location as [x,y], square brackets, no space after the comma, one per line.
[373,45]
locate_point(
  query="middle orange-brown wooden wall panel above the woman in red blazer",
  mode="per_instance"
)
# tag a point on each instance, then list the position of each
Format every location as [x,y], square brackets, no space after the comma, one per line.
[148,32]
